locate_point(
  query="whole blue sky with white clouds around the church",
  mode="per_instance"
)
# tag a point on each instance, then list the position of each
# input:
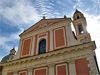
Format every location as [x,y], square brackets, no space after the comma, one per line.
[18,15]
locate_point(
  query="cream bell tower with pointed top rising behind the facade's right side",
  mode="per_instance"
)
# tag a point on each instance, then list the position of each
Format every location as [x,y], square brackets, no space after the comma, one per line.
[80,24]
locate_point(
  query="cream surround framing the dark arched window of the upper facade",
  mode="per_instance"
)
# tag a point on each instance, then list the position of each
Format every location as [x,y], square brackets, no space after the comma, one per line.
[38,40]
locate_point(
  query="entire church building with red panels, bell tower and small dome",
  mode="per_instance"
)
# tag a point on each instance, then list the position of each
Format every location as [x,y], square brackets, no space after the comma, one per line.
[50,47]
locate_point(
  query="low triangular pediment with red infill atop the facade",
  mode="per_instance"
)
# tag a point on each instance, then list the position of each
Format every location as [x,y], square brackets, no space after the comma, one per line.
[43,23]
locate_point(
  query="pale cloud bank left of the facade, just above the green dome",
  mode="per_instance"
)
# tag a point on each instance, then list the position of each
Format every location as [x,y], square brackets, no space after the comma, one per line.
[11,38]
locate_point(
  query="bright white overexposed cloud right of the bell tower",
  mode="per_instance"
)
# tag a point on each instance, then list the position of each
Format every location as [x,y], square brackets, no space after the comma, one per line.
[93,27]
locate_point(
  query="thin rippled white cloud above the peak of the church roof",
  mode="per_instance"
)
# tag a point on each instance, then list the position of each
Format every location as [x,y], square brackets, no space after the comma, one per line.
[45,7]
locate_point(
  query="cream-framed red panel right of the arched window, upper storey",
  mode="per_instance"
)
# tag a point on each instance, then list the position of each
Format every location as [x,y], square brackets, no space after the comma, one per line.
[59,38]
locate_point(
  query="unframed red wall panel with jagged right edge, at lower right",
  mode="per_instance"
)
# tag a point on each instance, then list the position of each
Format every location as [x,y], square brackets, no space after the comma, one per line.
[82,67]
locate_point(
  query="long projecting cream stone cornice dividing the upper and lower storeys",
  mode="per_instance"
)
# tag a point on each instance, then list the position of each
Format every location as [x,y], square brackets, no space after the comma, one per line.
[49,54]
